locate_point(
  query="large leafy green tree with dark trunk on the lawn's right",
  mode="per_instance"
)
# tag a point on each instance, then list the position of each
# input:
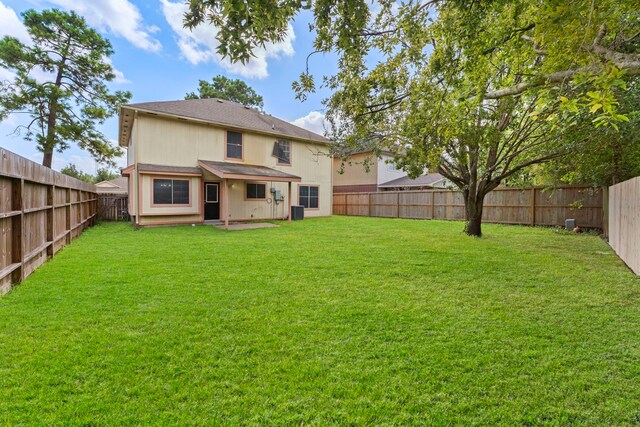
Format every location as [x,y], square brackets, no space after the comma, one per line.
[479,90]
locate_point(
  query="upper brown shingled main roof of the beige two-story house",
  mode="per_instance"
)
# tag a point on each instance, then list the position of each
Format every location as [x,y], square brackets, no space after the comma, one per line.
[219,112]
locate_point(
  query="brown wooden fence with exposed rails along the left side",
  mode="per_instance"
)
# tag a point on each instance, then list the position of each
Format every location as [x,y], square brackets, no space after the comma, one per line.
[41,210]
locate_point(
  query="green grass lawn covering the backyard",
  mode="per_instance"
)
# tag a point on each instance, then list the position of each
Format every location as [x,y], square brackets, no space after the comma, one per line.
[335,321]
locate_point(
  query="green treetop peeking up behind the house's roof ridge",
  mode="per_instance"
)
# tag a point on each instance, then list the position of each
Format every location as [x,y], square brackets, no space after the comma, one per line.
[230,89]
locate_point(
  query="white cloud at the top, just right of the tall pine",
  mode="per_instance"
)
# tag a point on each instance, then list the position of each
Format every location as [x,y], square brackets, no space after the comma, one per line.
[120,17]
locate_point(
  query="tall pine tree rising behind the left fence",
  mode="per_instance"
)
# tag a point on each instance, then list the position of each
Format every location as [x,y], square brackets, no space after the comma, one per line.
[68,104]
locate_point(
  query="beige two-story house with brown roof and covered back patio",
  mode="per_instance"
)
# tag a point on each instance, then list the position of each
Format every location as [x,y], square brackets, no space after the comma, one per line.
[201,160]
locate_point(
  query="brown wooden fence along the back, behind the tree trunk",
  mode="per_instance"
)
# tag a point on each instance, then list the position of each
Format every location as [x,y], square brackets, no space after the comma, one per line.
[529,206]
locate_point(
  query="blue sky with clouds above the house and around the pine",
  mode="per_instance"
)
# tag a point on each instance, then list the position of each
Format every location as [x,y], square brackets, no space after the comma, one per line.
[159,60]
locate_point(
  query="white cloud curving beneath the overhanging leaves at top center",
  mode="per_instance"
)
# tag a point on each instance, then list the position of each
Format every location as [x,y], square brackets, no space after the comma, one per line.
[199,45]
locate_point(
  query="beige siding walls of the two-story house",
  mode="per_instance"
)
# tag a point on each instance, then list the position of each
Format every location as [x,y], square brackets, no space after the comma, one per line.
[163,141]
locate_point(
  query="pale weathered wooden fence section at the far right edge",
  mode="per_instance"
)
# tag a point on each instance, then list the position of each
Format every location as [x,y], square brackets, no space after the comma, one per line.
[624,222]
